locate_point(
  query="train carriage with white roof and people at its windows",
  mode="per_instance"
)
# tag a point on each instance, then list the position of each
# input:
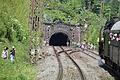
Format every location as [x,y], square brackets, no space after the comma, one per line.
[114,36]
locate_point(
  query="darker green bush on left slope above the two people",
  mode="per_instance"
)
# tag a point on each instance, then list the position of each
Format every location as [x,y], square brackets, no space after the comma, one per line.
[10,28]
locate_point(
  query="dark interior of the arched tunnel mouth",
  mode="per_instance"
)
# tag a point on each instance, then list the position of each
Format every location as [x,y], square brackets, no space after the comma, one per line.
[59,39]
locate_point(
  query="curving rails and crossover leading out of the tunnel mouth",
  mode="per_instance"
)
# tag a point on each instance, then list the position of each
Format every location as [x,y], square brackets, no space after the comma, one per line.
[60,73]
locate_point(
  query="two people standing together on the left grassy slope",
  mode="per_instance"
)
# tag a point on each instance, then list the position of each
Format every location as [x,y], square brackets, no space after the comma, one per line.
[5,54]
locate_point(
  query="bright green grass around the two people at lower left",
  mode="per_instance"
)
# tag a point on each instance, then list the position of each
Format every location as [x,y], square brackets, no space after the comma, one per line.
[21,69]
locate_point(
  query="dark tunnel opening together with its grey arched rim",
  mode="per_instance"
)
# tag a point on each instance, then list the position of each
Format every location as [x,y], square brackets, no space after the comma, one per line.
[60,38]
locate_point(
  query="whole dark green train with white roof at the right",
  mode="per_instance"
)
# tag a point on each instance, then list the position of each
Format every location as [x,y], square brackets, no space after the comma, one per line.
[109,46]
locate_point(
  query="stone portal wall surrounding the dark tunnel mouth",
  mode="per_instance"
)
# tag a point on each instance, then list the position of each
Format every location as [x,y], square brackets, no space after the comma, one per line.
[71,31]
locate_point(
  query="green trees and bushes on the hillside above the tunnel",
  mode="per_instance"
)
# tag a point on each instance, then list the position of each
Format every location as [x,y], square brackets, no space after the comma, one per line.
[92,12]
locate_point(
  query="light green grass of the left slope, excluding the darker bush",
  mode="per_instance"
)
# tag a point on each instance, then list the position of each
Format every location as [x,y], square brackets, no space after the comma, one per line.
[21,70]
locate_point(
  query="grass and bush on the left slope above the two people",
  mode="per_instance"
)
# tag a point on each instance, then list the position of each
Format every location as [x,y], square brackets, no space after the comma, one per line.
[14,20]
